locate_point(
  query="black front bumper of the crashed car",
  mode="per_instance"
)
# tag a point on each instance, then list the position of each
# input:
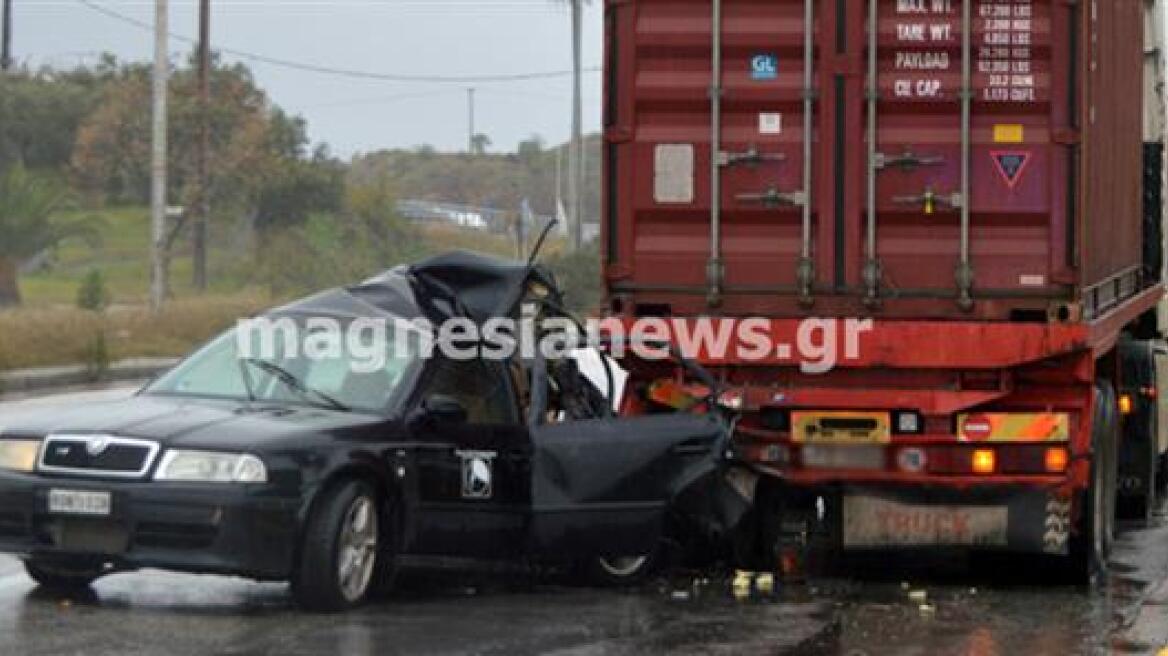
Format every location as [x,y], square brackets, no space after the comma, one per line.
[220,529]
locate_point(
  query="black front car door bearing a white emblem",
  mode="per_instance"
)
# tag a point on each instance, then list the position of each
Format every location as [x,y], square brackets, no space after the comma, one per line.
[474,487]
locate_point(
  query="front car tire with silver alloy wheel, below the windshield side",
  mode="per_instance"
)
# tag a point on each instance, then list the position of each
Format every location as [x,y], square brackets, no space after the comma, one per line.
[342,559]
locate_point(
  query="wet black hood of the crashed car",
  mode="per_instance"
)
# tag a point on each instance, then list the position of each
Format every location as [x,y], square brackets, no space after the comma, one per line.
[185,422]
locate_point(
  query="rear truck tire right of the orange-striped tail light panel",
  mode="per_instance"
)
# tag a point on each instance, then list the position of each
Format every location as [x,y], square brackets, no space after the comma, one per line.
[1091,547]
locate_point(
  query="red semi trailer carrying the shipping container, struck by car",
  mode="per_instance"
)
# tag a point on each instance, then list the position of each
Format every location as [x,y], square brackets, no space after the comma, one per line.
[976,184]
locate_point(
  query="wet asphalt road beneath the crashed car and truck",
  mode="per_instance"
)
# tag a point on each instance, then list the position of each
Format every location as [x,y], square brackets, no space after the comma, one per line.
[975,606]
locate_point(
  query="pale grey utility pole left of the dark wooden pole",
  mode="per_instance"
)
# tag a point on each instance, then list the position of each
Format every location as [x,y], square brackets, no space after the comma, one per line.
[159,274]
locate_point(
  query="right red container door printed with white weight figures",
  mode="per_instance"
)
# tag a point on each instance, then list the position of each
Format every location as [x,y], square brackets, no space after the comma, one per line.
[961,189]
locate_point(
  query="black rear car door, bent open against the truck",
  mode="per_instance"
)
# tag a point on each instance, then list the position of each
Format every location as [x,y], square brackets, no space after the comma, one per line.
[603,486]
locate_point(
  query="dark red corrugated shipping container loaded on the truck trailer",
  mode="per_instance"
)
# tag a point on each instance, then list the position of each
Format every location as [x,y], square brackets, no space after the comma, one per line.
[760,190]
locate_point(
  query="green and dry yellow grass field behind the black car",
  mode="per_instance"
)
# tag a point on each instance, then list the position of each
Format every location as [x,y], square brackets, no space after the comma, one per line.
[50,330]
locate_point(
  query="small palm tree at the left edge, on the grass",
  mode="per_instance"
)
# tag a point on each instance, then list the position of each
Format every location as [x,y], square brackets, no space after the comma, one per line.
[31,222]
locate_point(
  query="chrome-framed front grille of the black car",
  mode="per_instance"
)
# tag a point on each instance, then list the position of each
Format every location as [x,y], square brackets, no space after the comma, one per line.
[98,456]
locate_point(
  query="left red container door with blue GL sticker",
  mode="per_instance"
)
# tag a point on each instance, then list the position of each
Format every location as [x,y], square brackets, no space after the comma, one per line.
[708,171]
